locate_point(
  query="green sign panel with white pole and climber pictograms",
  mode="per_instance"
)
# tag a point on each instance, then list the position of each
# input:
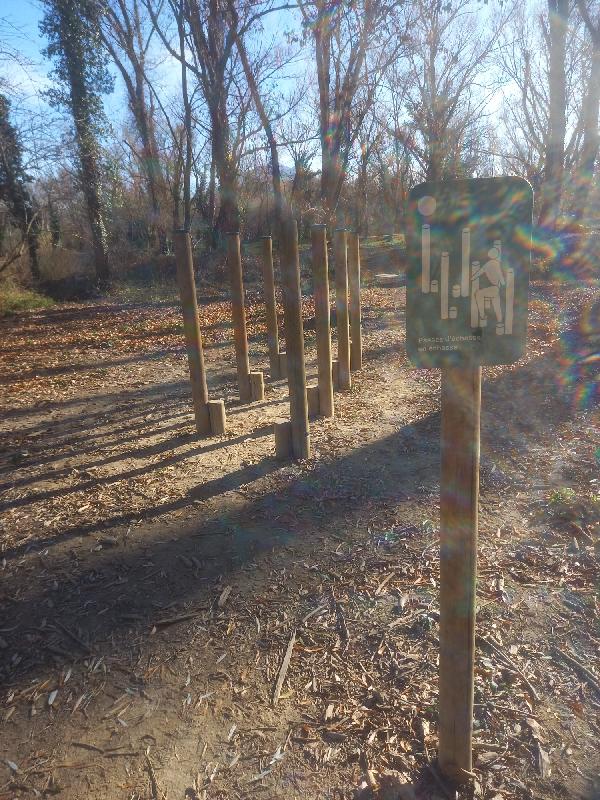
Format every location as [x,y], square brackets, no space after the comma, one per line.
[469,250]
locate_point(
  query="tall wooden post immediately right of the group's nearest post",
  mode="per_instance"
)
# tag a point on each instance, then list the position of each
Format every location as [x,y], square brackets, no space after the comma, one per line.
[322,321]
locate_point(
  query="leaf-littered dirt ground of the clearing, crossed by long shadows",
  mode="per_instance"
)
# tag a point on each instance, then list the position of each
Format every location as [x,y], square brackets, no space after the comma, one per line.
[189,618]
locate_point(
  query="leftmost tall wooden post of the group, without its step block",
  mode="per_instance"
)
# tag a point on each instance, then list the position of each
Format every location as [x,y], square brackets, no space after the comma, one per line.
[191,327]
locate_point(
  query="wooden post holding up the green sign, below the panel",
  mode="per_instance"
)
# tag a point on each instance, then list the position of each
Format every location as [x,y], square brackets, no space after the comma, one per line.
[461,403]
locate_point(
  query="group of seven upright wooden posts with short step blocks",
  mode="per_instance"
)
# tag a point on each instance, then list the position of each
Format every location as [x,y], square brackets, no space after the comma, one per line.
[292,437]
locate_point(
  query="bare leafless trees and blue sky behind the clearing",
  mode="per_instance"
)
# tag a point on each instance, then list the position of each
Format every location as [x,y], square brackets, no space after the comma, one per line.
[330,110]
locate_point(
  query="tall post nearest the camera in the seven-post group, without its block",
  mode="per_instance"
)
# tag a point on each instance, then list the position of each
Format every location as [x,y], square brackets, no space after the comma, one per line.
[294,339]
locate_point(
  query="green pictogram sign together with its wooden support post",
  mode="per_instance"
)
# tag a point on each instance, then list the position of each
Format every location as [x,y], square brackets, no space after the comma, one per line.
[467,279]
